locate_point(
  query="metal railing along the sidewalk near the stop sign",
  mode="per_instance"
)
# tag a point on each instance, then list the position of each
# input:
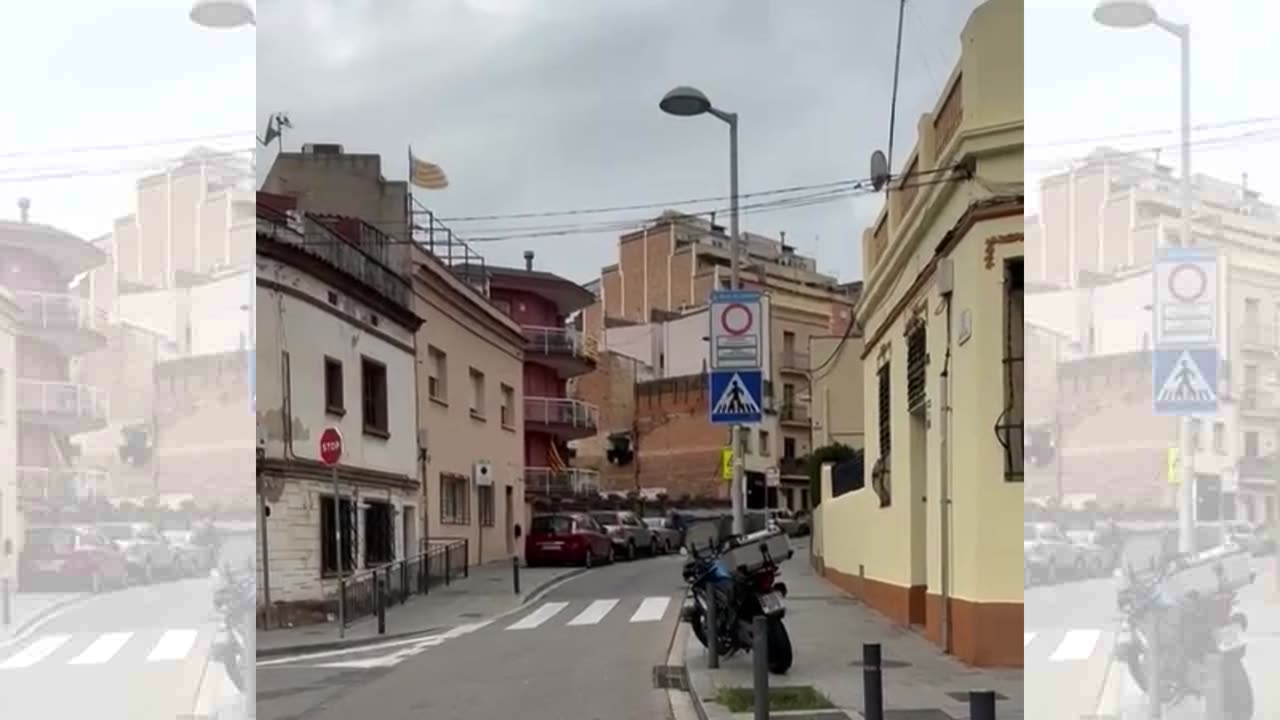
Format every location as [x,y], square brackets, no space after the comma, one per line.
[444,562]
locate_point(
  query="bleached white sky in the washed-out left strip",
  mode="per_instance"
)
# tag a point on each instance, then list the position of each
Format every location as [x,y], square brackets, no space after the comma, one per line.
[98,94]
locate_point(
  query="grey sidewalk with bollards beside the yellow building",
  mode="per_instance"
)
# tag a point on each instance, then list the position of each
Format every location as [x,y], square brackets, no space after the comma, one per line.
[828,632]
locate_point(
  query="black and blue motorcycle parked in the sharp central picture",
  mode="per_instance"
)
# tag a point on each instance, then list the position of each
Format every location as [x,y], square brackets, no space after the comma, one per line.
[740,596]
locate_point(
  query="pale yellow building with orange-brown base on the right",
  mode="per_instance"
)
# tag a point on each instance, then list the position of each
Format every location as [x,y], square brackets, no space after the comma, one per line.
[932,537]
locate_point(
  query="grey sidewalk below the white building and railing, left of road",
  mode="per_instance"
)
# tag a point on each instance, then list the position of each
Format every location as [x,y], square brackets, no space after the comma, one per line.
[487,593]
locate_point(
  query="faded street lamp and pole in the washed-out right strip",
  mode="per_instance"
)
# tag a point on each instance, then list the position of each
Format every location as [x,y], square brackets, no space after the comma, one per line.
[1128,15]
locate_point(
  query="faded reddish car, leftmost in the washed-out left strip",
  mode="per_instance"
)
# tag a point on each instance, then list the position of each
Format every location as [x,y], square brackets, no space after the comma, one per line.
[72,558]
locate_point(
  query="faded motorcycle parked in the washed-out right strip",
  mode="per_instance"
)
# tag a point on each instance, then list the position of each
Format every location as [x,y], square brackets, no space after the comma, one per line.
[1190,630]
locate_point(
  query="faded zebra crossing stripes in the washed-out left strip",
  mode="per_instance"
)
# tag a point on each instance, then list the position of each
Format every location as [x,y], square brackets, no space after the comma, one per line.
[102,649]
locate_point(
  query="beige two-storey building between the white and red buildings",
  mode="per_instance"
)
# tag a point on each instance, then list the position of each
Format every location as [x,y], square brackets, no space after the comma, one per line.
[470,388]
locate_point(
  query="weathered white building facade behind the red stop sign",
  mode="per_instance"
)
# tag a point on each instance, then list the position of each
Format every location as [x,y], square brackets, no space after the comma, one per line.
[337,332]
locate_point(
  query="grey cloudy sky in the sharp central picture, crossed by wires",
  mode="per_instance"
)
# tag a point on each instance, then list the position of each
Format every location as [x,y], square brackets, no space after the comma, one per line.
[552,106]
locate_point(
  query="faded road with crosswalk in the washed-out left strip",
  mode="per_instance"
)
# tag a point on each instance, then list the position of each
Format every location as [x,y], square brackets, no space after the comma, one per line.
[138,654]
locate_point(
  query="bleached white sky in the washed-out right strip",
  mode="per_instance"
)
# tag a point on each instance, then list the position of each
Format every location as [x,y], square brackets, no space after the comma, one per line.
[1090,85]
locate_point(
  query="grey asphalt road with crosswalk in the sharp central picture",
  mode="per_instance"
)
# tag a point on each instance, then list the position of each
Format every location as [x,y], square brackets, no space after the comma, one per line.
[583,653]
